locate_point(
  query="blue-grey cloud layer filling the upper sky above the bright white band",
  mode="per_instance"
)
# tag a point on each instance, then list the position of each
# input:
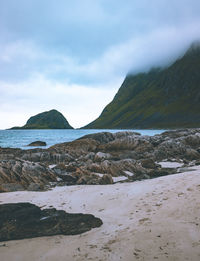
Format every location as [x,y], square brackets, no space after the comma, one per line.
[89,41]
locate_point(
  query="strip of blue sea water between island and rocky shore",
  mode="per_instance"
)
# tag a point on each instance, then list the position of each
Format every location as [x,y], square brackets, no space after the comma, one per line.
[21,138]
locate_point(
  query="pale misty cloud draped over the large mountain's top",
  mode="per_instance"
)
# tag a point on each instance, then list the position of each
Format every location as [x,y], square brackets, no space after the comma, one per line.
[156,48]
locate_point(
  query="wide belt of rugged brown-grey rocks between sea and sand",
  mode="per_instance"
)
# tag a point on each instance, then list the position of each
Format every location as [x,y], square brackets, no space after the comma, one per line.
[101,158]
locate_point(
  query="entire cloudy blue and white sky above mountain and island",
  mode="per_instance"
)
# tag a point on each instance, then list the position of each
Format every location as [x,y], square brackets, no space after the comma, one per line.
[74,55]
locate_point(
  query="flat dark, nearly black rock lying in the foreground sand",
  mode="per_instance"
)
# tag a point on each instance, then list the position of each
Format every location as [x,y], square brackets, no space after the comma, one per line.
[25,220]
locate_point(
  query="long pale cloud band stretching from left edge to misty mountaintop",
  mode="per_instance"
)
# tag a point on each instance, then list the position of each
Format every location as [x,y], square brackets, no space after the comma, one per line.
[156,48]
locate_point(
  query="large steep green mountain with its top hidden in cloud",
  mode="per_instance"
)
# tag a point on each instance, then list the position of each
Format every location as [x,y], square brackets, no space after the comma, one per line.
[161,98]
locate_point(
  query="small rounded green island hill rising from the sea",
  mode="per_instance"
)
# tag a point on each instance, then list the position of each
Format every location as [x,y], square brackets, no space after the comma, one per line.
[52,119]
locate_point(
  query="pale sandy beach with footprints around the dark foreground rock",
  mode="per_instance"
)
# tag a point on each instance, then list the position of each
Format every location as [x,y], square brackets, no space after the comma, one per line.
[155,219]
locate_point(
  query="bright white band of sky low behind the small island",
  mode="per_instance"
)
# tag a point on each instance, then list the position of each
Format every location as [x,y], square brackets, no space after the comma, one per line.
[80,104]
